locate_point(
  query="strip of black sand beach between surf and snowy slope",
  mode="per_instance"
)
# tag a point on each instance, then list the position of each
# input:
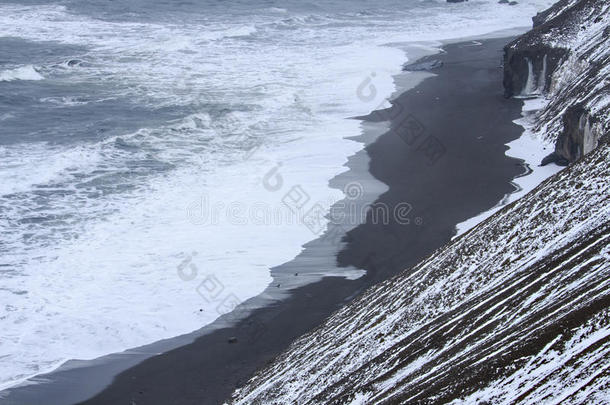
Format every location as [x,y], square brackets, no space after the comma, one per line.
[444,157]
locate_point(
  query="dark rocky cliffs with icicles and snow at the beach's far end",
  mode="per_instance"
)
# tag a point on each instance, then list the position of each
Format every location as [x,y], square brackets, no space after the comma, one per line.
[564,58]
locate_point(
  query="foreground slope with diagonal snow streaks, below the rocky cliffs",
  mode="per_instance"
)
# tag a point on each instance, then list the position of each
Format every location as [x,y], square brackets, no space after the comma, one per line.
[528,285]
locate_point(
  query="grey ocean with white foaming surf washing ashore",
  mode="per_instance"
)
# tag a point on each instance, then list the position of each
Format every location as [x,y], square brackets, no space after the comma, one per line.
[152,153]
